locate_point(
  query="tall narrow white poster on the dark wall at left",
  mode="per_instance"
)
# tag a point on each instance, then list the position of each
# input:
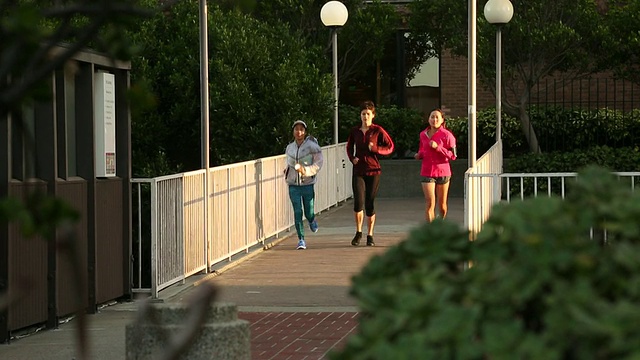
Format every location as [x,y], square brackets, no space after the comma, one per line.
[105,124]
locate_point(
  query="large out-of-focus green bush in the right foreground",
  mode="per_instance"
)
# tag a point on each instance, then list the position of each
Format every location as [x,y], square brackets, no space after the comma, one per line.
[539,287]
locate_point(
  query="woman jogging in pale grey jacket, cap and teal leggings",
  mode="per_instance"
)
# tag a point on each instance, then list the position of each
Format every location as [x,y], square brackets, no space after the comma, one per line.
[304,161]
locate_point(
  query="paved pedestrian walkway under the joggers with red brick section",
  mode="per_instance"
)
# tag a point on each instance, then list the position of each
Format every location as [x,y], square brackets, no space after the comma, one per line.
[297,301]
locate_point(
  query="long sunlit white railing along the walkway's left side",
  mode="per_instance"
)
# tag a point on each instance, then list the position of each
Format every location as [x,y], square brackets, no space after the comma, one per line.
[248,203]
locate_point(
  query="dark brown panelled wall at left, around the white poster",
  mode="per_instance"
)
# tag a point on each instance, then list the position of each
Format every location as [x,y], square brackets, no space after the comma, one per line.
[49,151]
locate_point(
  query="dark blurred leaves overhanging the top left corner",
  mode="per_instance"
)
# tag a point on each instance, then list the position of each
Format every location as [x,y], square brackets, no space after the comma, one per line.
[33,30]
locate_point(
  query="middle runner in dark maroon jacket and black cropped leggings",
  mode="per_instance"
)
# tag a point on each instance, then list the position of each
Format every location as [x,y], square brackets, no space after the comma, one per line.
[364,144]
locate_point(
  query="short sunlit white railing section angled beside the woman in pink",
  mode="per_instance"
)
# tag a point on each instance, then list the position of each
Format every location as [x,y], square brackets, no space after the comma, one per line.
[482,188]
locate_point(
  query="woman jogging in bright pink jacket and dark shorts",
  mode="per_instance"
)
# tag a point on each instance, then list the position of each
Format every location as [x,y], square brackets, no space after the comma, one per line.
[437,148]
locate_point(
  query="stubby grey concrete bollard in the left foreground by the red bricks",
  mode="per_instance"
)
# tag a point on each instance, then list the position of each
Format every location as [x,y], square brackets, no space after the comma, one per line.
[222,336]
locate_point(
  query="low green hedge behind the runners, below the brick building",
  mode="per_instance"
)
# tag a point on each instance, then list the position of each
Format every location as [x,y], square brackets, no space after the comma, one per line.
[570,138]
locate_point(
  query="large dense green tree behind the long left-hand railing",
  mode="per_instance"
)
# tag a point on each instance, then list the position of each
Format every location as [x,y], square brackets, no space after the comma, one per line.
[262,78]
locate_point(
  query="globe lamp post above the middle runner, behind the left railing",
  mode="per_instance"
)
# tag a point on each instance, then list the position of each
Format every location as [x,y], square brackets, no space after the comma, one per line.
[334,15]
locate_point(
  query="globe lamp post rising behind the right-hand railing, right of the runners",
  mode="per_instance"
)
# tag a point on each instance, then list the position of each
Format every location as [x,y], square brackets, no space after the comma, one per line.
[498,12]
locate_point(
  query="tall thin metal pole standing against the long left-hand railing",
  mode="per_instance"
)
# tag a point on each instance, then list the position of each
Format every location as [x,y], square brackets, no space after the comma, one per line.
[204,116]
